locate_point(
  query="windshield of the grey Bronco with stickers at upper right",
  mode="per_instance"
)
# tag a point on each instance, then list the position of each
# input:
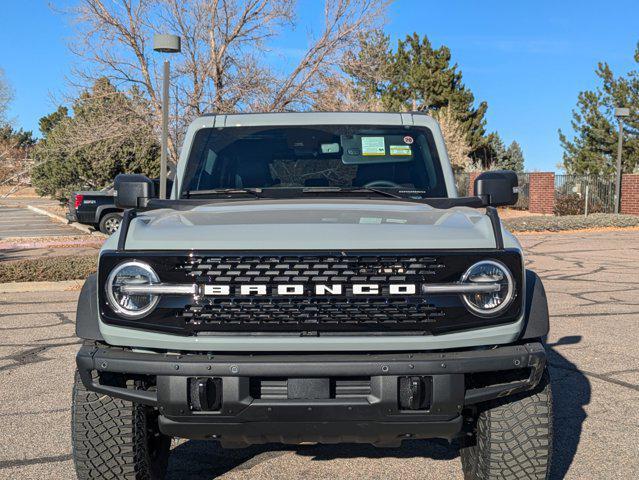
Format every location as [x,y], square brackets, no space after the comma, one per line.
[297,160]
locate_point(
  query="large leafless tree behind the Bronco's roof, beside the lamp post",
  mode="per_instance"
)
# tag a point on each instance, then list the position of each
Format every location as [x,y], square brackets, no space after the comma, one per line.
[226,63]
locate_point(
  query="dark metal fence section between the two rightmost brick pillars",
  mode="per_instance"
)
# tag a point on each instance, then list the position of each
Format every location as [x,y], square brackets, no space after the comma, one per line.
[573,193]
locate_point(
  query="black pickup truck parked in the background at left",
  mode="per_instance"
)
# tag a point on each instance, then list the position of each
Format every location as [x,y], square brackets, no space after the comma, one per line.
[97,208]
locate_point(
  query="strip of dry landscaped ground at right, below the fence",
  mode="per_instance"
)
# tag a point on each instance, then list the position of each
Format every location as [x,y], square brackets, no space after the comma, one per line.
[551,223]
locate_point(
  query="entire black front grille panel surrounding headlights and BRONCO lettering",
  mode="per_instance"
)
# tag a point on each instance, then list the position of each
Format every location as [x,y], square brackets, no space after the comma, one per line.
[309,314]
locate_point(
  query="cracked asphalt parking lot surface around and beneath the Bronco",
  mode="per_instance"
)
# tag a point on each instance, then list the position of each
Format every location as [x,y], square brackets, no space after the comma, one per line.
[592,284]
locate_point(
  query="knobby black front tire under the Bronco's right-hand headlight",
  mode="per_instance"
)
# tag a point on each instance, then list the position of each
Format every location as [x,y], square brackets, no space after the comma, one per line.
[513,438]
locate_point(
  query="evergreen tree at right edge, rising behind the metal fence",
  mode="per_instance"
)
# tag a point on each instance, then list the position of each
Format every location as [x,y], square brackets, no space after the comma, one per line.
[594,146]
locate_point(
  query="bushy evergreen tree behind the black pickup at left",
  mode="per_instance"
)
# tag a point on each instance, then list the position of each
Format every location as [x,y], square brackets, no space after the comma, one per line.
[109,133]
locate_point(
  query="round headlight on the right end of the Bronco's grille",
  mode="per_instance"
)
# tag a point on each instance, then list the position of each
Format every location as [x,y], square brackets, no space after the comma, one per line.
[489,273]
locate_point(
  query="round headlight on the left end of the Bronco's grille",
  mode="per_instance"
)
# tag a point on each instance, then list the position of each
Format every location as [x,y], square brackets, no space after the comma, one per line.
[130,274]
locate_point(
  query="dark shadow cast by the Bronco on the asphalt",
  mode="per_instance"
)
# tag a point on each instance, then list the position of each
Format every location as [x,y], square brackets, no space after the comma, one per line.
[206,460]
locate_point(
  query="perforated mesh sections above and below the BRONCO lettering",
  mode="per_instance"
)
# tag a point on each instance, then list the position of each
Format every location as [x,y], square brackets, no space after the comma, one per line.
[310,312]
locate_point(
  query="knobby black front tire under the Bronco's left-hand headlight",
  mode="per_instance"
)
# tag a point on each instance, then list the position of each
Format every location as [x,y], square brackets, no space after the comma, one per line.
[115,439]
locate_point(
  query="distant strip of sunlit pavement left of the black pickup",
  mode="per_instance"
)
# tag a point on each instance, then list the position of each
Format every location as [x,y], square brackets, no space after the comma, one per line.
[22,222]
